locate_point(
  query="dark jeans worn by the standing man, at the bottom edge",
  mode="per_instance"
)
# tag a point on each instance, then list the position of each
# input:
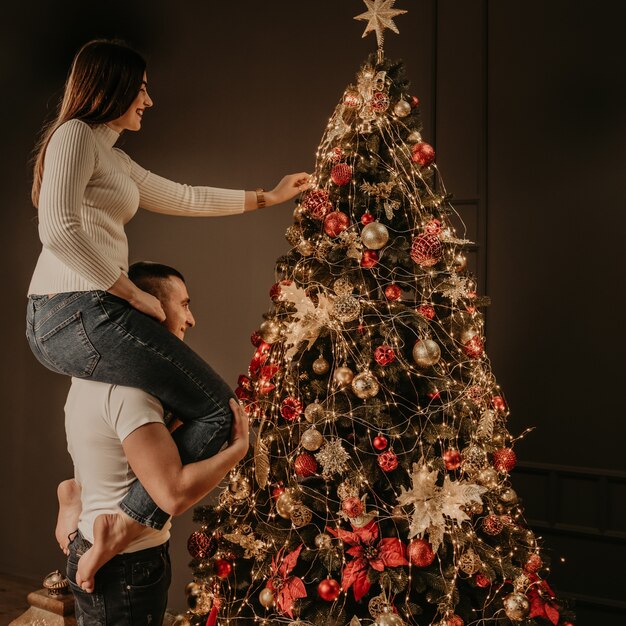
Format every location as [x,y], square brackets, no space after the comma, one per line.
[130,590]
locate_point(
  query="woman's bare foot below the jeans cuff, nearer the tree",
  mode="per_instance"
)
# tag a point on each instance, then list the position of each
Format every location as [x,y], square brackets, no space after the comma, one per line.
[112,532]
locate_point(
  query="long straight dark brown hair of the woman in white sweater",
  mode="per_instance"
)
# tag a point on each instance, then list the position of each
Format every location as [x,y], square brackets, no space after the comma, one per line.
[104,79]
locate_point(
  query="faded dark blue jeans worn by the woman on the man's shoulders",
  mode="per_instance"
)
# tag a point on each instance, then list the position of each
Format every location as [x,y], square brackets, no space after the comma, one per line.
[96,335]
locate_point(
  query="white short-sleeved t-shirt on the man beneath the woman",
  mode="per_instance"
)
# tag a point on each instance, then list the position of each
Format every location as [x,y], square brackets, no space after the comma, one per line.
[98,417]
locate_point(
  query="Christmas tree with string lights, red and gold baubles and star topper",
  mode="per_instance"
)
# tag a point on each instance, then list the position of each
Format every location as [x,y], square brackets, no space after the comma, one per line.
[377,490]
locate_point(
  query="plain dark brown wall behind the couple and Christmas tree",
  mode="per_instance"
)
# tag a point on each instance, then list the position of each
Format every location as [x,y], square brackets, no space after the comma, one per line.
[524,101]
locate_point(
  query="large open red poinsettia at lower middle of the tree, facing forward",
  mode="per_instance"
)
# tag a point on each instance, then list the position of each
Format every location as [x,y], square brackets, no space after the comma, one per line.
[368,553]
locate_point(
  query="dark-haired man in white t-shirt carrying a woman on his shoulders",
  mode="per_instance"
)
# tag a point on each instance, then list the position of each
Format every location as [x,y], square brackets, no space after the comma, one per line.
[115,434]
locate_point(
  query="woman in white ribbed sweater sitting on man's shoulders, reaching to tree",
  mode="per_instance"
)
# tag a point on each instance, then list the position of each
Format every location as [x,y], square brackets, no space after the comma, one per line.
[85,317]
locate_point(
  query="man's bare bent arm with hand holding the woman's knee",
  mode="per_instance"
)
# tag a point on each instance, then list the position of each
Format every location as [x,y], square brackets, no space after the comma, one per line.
[153,456]
